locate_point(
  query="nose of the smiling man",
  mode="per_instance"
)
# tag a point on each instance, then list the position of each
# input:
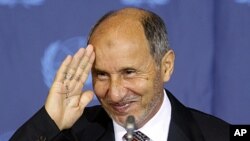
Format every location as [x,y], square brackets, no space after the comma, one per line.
[116,90]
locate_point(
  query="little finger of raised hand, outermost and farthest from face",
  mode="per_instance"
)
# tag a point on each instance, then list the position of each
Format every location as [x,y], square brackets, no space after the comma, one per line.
[60,75]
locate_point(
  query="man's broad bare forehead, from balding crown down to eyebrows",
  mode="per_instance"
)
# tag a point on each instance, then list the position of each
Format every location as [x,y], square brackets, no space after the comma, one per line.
[120,39]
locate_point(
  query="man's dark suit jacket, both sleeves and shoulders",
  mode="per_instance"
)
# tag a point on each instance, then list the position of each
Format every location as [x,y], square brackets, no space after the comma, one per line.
[95,125]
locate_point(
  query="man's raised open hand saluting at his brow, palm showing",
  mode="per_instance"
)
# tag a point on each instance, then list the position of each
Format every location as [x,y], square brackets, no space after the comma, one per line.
[66,101]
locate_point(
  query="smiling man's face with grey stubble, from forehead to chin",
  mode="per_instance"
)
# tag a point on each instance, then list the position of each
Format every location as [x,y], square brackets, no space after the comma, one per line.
[126,79]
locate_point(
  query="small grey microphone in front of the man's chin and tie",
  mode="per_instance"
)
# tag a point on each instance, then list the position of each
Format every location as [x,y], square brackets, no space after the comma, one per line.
[130,127]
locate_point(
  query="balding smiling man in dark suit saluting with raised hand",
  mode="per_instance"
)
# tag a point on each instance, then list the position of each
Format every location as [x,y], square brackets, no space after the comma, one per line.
[130,59]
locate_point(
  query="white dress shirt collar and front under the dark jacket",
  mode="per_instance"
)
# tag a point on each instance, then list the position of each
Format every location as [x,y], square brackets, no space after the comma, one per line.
[156,128]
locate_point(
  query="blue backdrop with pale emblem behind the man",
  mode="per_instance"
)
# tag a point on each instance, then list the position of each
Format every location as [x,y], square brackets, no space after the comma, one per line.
[211,39]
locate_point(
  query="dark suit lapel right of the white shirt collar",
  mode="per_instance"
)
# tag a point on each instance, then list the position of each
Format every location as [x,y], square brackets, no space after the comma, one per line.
[182,125]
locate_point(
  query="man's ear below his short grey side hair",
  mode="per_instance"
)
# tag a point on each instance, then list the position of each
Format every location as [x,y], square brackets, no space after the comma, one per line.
[167,65]
